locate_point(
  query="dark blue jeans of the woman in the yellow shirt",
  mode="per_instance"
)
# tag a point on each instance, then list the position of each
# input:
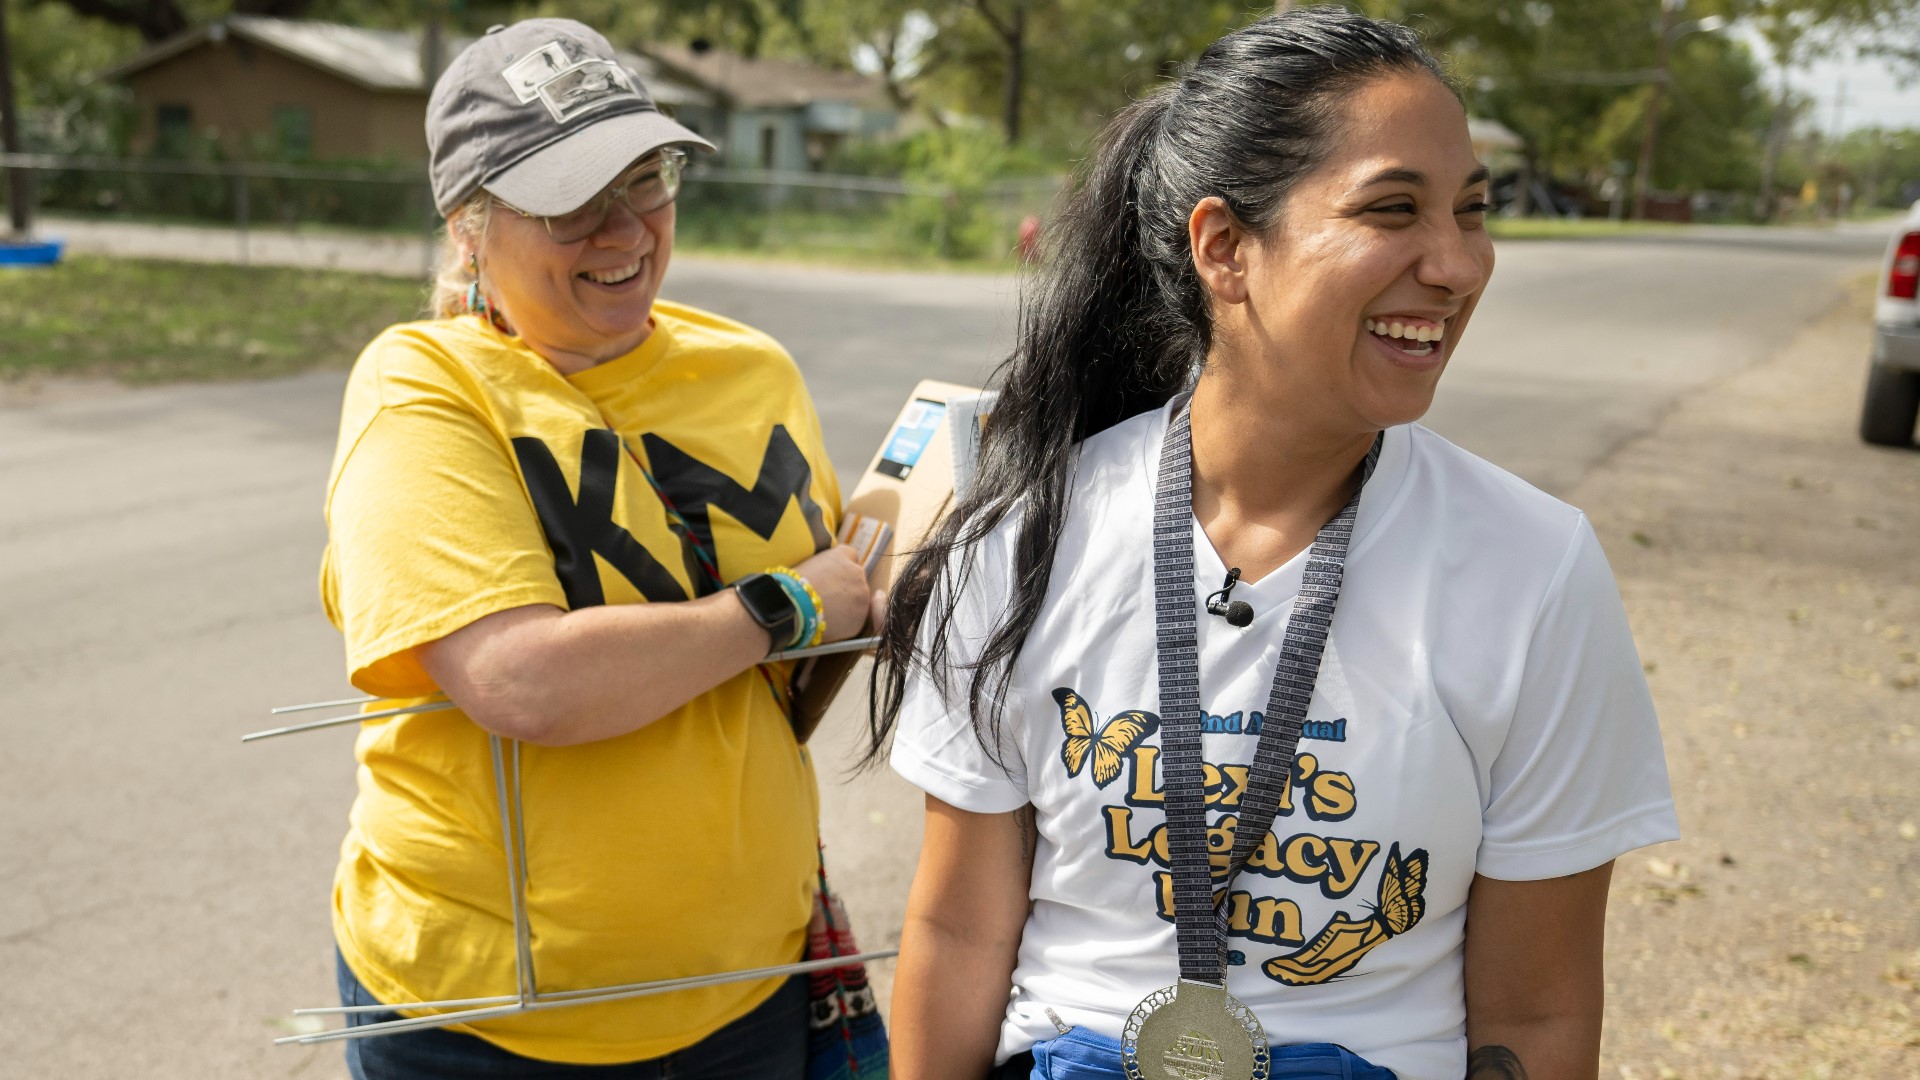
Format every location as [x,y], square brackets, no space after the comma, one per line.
[771,1043]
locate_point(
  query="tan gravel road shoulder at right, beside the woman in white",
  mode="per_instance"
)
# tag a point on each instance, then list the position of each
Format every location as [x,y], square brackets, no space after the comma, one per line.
[1769,566]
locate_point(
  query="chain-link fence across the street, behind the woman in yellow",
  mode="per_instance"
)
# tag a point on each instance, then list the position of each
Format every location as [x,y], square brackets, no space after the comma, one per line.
[719,209]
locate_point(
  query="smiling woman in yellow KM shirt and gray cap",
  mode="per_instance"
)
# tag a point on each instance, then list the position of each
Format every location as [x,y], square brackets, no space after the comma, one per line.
[571,508]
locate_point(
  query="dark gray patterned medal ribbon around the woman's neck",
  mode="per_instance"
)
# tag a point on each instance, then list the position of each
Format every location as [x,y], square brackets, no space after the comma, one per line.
[1201,925]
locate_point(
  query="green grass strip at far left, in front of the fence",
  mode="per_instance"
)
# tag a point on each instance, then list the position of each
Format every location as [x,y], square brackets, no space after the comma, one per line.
[156,322]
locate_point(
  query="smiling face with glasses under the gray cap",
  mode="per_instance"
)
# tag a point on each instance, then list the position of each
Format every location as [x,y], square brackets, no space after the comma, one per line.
[585,303]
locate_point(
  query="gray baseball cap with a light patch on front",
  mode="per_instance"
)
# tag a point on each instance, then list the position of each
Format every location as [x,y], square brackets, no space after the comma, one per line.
[540,114]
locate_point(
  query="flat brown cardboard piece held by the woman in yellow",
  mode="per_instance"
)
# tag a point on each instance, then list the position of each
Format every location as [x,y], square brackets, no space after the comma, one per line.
[930,453]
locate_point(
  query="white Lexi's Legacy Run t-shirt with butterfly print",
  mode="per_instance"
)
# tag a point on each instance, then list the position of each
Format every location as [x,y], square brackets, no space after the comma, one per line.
[1479,710]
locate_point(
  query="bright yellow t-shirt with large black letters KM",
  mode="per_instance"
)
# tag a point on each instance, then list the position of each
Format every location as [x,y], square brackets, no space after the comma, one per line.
[473,478]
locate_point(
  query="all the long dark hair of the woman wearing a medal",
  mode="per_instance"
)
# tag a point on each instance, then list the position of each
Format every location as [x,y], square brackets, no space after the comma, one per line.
[1118,320]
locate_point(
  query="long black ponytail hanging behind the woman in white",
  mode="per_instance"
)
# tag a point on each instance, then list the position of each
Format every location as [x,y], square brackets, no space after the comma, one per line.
[1086,360]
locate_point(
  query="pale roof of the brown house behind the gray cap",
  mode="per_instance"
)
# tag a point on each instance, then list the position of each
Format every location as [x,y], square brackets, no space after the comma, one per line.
[377,61]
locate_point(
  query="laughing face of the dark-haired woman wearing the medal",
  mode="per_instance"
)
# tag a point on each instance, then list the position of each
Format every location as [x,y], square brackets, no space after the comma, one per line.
[1353,303]
